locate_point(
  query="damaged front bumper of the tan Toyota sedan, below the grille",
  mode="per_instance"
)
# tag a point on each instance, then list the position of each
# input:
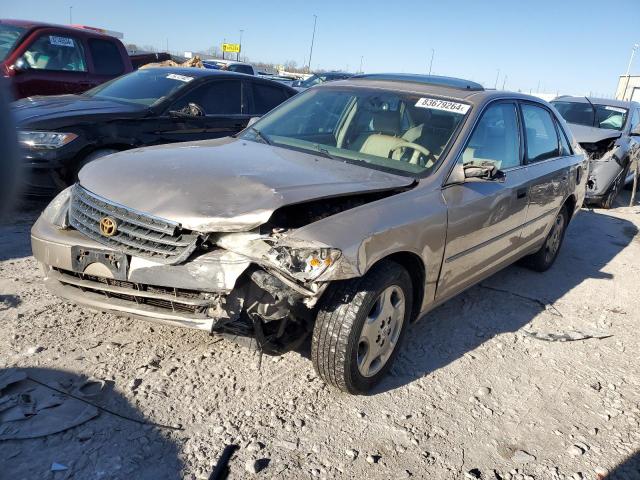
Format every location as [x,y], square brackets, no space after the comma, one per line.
[198,294]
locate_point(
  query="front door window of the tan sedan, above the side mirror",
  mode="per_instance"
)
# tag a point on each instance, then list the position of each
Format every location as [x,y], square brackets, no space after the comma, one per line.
[496,138]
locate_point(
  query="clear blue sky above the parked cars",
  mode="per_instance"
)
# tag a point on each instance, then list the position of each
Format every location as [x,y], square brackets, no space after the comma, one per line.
[566,46]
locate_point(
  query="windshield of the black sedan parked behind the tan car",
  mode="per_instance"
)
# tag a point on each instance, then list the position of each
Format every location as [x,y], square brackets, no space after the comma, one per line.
[143,87]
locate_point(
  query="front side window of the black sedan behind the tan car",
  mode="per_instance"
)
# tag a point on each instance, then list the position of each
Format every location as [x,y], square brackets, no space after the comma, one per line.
[215,98]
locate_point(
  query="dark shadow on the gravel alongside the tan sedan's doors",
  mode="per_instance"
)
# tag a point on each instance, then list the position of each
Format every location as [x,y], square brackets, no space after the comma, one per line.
[464,323]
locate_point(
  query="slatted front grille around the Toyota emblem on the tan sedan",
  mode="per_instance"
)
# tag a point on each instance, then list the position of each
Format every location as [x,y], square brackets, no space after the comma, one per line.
[136,233]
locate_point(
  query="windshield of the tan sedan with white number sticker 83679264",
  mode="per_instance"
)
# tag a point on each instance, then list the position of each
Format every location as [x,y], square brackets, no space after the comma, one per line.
[397,131]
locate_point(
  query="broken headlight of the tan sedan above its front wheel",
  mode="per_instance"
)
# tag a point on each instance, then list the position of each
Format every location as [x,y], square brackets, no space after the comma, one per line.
[307,264]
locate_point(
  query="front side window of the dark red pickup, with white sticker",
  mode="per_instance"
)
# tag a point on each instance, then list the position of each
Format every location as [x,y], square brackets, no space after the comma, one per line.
[56,52]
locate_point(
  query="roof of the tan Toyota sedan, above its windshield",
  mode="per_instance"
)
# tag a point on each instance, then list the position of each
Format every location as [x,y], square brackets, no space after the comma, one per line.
[447,87]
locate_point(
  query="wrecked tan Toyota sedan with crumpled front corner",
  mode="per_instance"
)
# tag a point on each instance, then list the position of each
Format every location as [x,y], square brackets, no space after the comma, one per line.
[346,213]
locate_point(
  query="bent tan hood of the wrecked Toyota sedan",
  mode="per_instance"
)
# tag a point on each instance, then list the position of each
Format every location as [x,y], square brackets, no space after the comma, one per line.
[225,185]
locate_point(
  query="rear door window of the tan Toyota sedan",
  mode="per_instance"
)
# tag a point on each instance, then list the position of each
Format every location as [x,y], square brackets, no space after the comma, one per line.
[540,133]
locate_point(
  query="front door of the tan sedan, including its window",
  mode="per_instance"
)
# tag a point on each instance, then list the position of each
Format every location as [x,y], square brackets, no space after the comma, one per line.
[486,217]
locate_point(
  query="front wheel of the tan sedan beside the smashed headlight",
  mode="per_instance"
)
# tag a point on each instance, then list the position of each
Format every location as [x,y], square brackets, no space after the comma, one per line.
[360,326]
